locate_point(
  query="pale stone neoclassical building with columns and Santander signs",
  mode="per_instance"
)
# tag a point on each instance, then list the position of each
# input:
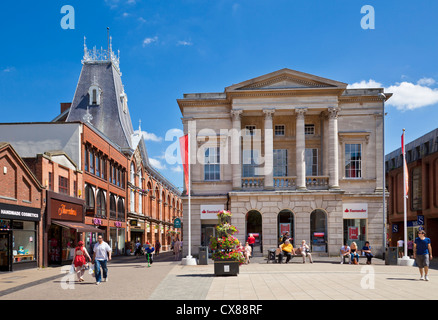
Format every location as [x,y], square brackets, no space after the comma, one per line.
[287,151]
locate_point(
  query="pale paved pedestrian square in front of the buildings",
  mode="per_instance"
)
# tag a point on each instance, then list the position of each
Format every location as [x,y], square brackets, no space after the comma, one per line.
[167,279]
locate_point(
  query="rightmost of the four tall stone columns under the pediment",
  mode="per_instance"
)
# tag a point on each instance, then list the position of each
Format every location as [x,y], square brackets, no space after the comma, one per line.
[333,148]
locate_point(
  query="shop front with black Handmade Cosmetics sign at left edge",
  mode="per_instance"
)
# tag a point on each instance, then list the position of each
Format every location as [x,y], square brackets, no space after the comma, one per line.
[18,237]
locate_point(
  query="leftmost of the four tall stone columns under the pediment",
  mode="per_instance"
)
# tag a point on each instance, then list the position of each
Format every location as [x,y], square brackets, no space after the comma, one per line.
[236,164]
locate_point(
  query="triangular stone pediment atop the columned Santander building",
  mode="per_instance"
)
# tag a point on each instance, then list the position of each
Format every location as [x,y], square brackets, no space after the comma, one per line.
[286,79]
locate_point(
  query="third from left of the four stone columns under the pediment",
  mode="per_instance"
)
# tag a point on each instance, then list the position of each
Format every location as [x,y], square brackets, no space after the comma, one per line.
[300,149]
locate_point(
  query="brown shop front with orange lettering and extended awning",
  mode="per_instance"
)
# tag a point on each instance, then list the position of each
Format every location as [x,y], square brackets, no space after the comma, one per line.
[65,228]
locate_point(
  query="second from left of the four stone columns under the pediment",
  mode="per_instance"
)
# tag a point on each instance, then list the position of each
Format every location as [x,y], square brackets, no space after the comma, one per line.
[269,150]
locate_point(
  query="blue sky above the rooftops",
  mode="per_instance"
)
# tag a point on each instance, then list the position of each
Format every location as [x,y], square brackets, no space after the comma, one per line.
[173,47]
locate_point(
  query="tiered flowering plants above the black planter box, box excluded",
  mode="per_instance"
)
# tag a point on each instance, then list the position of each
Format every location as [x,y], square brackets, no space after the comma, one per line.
[224,245]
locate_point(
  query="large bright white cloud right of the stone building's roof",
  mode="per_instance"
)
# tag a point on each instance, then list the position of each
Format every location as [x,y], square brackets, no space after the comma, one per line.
[406,95]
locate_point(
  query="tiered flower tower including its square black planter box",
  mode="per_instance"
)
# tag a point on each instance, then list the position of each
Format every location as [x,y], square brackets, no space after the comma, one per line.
[227,258]
